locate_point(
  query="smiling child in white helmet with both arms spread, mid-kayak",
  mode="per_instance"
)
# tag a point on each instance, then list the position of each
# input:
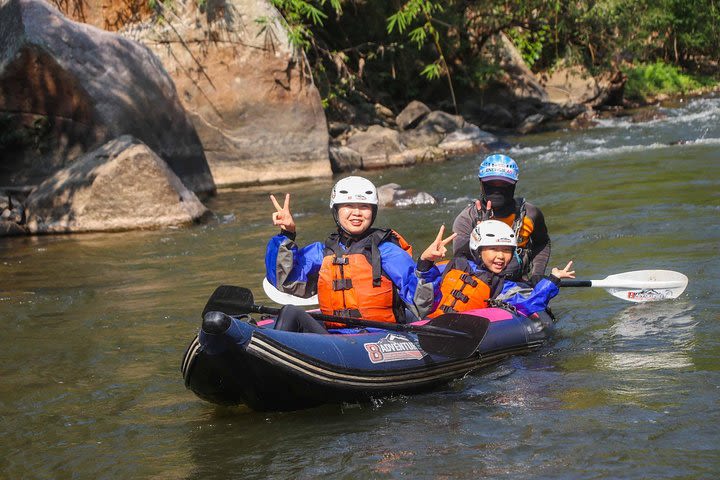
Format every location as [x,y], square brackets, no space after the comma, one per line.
[468,283]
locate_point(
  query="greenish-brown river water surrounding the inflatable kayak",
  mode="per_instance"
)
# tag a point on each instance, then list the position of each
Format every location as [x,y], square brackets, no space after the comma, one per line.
[95,326]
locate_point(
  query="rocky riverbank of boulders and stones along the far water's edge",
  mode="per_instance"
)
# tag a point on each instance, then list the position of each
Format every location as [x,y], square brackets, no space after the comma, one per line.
[212,96]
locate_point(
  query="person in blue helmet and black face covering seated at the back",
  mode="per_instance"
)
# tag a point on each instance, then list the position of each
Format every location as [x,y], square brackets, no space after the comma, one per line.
[498,175]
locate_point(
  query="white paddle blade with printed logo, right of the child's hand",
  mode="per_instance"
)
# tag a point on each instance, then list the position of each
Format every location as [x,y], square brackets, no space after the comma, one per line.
[644,285]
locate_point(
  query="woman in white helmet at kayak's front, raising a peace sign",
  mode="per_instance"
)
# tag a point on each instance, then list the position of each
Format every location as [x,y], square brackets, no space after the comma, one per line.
[358,271]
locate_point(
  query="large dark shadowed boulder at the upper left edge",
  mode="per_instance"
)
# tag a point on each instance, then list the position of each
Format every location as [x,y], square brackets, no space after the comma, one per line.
[67,88]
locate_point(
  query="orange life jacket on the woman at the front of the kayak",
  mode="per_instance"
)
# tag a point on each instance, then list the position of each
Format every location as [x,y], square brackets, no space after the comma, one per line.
[351,282]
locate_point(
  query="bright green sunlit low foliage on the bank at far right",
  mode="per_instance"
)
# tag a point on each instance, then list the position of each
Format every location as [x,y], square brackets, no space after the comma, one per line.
[646,80]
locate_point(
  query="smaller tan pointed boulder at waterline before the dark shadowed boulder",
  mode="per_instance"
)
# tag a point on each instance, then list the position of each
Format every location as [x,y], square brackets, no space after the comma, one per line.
[120,186]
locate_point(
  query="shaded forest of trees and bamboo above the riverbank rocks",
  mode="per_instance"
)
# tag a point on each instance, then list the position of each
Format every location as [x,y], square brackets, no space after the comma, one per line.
[394,51]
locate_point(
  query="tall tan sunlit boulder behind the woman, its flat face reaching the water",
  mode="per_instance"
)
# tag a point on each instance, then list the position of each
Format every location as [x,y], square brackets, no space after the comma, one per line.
[248,92]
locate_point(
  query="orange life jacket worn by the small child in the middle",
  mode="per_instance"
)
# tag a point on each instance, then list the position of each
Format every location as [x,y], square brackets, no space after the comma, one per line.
[463,289]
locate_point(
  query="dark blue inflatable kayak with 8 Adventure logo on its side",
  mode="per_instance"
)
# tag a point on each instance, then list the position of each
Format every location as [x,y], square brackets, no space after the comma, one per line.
[238,360]
